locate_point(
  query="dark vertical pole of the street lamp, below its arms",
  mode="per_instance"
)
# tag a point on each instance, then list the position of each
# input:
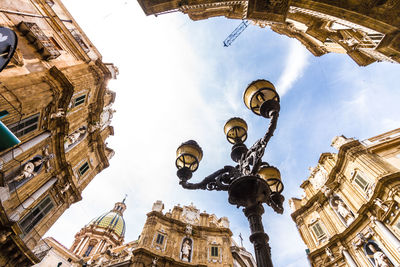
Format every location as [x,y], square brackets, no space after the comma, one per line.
[258,237]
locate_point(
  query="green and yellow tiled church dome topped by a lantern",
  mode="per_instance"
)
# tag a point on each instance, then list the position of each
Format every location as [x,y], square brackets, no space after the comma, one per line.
[112,220]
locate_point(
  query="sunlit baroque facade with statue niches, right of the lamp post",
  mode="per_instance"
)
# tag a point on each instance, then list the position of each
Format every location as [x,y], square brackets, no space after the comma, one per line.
[350,214]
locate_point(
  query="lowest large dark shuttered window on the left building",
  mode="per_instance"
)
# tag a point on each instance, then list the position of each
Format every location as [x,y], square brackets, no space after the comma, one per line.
[36,215]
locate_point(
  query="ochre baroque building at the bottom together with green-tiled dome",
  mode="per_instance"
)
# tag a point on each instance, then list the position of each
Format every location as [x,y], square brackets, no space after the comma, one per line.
[181,237]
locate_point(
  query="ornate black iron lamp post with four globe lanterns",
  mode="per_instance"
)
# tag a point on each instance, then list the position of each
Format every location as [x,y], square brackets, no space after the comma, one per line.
[251,182]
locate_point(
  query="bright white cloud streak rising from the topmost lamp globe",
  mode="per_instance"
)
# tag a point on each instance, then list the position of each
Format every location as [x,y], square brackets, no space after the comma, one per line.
[296,62]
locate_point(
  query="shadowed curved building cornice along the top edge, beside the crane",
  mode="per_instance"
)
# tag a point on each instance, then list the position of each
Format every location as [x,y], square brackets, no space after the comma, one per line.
[366,30]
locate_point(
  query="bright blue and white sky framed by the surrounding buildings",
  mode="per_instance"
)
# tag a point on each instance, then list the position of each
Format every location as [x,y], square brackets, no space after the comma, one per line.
[178,82]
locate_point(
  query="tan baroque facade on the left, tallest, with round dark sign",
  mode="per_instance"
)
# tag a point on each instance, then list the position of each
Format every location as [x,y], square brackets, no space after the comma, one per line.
[54,92]
